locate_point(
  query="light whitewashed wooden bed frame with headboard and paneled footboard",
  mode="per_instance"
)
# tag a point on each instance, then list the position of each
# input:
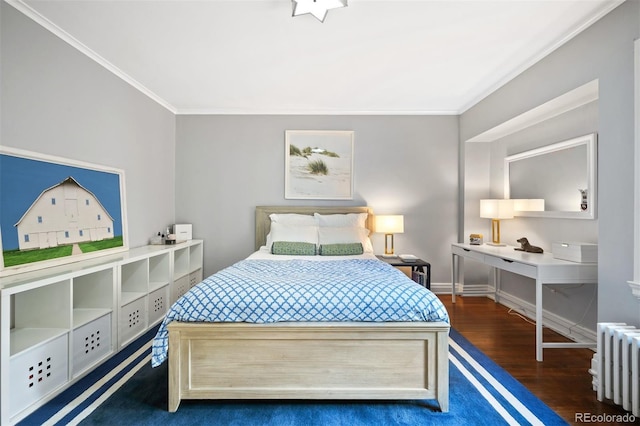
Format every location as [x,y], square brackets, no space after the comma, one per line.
[308,360]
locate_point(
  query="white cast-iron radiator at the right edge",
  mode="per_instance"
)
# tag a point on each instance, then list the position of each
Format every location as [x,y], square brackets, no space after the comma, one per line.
[618,365]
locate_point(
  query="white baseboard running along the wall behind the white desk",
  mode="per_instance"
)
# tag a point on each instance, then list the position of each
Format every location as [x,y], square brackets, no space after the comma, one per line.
[550,320]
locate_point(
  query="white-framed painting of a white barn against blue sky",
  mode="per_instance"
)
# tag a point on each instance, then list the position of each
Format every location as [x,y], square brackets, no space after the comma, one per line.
[55,210]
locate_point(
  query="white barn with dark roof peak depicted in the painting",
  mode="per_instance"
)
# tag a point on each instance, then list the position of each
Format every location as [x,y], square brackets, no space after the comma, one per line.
[66,213]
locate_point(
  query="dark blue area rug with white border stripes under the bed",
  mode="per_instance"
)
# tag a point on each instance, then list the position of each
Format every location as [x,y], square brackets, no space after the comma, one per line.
[127,391]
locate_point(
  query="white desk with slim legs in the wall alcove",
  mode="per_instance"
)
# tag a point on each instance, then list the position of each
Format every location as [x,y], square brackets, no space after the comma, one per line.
[544,268]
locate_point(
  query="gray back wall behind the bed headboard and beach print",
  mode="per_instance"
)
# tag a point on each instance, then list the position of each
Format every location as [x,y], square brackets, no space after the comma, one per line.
[227,165]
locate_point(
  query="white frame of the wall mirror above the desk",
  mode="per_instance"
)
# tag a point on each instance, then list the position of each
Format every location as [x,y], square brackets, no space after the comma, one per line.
[590,141]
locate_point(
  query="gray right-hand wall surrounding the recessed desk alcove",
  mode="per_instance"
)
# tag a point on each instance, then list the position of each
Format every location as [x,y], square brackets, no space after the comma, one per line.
[604,52]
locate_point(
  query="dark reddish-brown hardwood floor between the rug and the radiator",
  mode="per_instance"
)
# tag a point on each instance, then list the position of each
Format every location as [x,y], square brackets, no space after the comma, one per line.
[562,380]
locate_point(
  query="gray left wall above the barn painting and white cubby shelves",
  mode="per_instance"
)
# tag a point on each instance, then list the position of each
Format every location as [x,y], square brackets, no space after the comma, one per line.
[57,101]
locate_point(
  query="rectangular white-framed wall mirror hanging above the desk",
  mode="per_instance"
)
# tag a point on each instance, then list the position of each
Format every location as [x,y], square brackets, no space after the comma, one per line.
[563,174]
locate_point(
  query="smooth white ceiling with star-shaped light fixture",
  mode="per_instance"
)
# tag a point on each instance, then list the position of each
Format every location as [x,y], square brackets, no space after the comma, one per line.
[373,57]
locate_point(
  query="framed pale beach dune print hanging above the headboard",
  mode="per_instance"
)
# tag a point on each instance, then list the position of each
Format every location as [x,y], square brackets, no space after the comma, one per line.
[319,164]
